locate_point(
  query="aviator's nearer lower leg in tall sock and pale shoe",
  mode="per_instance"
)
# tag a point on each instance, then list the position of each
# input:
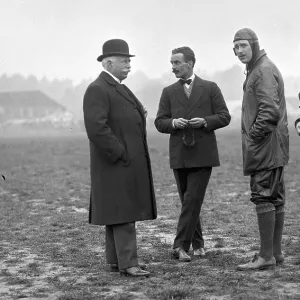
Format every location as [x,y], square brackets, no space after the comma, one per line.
[266,223]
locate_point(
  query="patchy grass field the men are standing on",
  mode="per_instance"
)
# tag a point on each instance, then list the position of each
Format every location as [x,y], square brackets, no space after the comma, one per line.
[49,251]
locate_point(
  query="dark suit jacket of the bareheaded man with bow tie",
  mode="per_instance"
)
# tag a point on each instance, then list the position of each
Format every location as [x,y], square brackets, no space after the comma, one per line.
[206,101]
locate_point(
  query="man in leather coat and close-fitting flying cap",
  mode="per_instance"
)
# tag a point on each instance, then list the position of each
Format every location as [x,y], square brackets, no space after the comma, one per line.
[265,145]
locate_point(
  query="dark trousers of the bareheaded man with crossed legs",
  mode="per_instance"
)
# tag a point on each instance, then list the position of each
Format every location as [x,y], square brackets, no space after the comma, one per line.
[191,184]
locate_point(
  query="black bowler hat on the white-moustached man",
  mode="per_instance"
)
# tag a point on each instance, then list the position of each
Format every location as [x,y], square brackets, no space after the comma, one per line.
[115,47]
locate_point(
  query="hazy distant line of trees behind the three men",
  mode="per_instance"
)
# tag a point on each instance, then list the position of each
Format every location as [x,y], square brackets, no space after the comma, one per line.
[148,90]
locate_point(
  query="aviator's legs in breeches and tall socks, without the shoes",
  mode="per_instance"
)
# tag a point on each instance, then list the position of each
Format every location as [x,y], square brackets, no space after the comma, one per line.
[268,193]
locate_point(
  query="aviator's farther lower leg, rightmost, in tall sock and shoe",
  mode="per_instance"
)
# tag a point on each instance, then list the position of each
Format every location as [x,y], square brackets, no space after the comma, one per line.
[278,230]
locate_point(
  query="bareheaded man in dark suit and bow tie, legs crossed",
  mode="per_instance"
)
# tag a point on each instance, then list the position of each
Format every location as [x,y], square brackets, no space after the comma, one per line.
[190,110]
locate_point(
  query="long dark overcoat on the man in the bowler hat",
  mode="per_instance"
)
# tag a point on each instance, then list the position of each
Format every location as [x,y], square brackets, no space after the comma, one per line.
[121,179]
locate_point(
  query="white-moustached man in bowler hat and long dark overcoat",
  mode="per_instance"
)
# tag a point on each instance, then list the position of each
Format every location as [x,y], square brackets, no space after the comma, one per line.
[121,179]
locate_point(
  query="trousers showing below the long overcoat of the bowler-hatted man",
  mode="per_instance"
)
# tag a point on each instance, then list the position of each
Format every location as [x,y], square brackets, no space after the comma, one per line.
[121,247]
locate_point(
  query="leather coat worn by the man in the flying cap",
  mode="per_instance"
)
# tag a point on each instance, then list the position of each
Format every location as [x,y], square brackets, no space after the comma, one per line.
[265,136]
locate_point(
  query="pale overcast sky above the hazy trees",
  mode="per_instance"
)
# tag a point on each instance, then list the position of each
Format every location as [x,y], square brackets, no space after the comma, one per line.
[62,38]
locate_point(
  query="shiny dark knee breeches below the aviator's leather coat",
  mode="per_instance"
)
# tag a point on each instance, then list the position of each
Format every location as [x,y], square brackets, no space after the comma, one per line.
[267,186]
